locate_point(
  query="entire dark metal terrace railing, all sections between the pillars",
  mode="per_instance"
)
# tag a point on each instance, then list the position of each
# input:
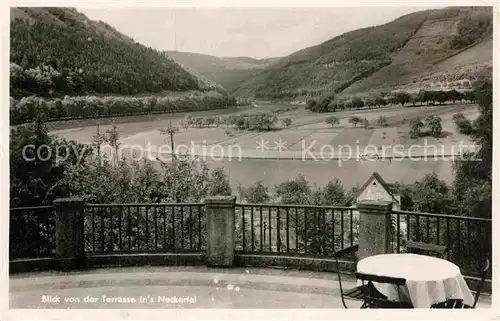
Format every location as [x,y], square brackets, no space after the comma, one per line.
[266,229]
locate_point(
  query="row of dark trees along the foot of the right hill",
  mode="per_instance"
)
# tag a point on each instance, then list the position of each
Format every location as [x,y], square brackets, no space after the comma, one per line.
[429,97]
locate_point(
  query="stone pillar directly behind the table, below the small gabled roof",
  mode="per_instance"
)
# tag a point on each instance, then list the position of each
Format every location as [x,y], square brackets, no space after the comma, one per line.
[374,227]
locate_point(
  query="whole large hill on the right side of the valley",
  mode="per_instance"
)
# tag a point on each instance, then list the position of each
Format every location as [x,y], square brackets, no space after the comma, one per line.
[435,49]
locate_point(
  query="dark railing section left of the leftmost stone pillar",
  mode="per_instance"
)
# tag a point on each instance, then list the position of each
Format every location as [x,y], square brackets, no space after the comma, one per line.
[32,232]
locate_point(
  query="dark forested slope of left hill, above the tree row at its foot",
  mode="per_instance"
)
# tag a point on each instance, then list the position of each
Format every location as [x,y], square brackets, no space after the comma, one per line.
[58,51]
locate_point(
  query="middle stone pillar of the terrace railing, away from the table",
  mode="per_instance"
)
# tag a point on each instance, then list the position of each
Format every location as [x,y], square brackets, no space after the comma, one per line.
[220,230]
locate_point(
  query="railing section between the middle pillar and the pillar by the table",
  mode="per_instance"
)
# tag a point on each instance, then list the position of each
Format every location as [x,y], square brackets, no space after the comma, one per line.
[316,231]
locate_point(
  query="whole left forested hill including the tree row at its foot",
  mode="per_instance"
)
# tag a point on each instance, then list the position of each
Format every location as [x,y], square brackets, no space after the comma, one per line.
[66,66]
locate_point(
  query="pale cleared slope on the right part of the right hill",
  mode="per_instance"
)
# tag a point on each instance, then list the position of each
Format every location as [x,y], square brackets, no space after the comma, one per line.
[425,61]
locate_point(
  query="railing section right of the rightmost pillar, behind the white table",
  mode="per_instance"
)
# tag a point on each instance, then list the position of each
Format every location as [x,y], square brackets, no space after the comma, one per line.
[468,239]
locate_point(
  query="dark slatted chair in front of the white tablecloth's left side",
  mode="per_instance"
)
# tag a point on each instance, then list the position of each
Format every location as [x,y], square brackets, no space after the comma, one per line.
[376,302]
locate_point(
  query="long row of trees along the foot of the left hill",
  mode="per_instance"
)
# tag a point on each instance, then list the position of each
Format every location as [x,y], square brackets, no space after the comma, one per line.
[27,108]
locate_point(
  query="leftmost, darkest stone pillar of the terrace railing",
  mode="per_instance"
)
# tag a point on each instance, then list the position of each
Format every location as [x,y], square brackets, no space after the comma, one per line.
[70,251]
